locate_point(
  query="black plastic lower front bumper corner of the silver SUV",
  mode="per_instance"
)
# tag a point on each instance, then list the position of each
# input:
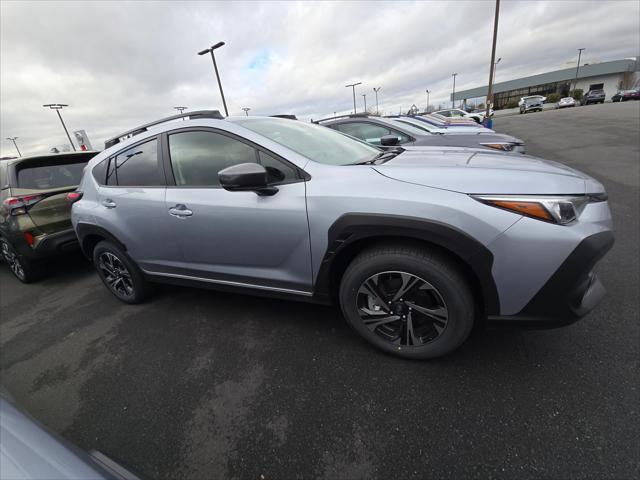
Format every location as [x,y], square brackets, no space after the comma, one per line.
[571,292]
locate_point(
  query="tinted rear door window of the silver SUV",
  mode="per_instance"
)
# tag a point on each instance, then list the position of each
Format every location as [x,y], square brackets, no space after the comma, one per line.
[136,167]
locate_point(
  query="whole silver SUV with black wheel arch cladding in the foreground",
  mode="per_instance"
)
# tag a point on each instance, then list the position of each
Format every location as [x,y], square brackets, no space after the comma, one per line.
[415,244]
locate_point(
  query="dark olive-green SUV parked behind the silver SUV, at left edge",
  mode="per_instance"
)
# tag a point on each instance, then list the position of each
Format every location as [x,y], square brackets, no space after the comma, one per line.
[34,212]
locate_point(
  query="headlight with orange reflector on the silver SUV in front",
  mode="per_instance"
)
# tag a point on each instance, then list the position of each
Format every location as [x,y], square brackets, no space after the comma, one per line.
[558,209]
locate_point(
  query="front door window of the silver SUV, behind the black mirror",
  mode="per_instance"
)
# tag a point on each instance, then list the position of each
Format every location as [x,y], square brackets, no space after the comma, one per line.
[197,157]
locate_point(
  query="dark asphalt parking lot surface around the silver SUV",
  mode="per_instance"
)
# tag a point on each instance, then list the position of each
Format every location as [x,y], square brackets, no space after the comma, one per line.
[199,384]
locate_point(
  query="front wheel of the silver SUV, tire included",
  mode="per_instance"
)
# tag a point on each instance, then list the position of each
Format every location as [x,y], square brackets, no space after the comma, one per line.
[435,284]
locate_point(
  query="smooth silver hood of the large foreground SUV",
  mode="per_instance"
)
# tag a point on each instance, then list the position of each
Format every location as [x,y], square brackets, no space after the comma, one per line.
[475,171]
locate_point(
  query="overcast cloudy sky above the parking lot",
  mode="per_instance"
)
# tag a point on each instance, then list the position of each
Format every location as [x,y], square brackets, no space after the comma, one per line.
[120,64]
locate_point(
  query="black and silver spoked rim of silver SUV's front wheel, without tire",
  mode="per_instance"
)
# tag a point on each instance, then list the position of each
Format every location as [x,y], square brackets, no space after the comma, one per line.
[402,308]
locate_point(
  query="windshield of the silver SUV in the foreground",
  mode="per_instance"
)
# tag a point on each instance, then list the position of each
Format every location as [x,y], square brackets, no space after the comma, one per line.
[320,144]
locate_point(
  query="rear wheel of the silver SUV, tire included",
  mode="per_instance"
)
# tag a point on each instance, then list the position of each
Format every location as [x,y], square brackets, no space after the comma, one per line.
[119,273]
